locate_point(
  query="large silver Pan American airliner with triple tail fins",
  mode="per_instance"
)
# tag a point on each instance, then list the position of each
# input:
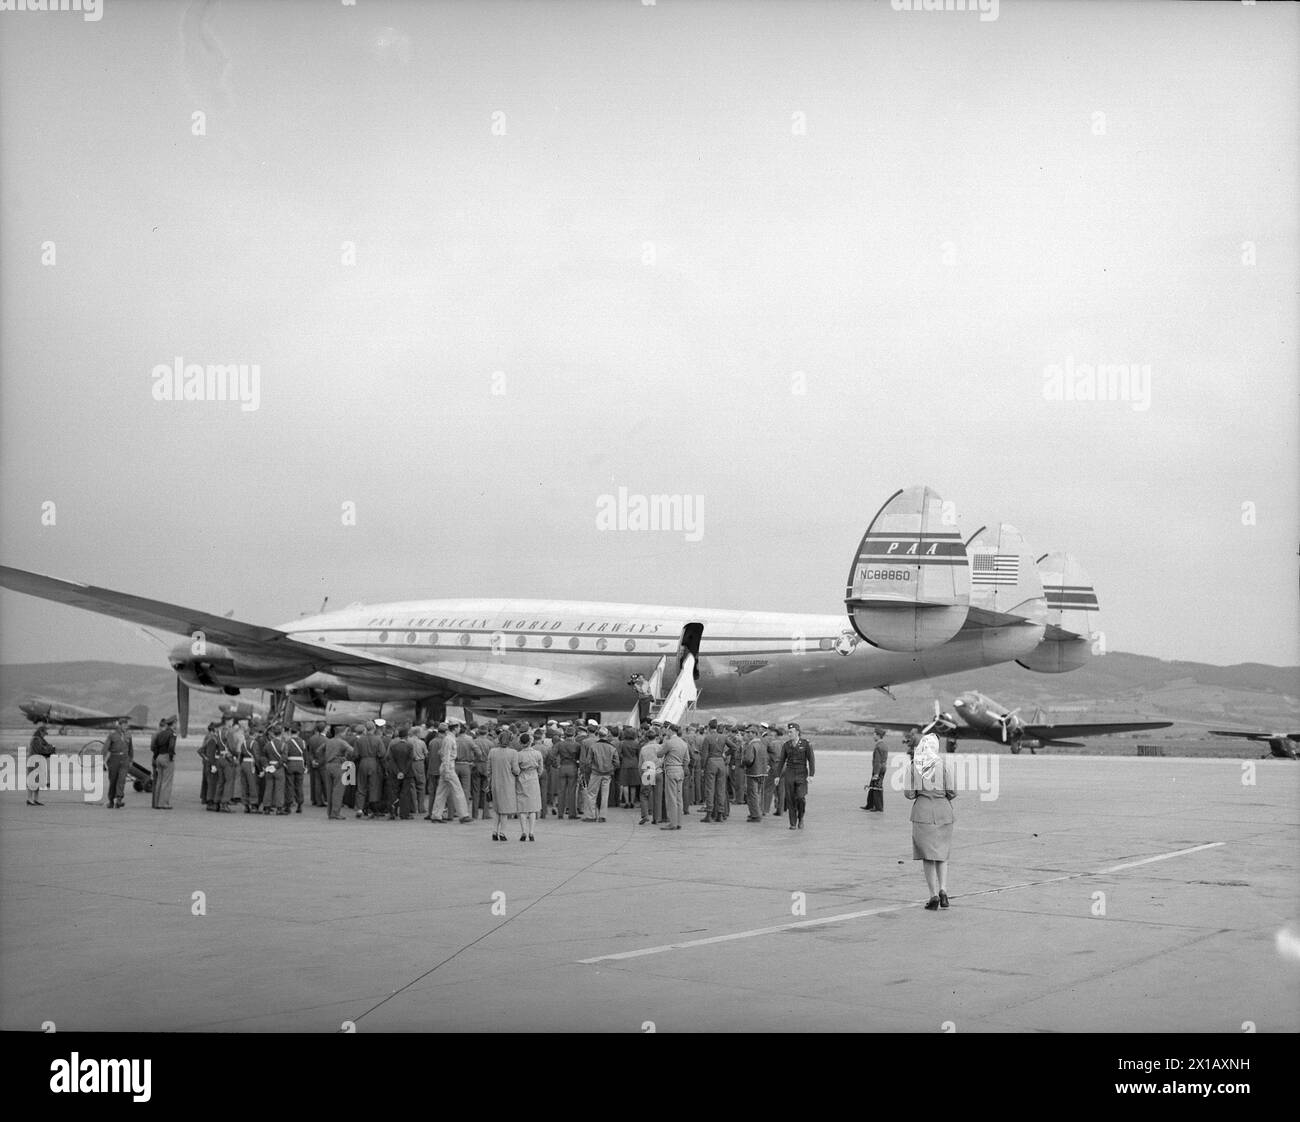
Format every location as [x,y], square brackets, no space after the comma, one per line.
[921,601]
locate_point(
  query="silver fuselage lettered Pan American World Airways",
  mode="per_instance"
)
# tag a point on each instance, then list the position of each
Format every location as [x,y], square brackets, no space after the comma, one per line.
[584,653]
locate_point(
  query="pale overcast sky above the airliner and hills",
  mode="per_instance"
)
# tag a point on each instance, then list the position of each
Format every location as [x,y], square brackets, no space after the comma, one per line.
[787,258]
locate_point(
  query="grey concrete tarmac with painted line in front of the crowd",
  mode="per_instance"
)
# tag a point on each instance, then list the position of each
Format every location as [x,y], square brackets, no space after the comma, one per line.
[1099,895]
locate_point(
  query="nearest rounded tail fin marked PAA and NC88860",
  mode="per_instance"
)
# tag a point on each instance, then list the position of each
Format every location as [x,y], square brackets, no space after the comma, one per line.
[909,587]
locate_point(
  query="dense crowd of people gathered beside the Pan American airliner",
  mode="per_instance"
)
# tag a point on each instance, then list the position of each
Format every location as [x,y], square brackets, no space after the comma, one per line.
[509,770]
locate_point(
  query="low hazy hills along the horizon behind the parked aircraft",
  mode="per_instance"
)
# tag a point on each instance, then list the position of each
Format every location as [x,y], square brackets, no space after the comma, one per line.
[1111,688]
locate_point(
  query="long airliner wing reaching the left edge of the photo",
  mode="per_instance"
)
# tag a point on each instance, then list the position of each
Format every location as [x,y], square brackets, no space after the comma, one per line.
[513,682]
